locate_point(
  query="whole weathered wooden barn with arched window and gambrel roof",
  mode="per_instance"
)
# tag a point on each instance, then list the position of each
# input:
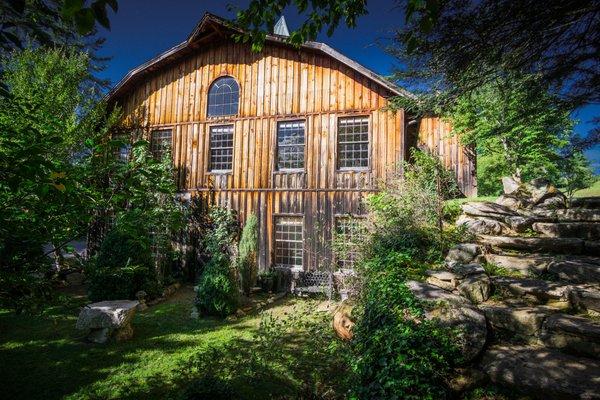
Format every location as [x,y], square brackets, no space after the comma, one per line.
[297,136]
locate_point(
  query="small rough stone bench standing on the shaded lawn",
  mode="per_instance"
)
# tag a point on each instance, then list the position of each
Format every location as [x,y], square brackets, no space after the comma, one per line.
[107,320]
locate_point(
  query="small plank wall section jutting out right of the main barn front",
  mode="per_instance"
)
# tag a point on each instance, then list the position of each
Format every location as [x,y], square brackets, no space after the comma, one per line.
[435,135]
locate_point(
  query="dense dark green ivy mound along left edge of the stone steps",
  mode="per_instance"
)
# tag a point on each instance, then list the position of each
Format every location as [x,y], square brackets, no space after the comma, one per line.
[397,353]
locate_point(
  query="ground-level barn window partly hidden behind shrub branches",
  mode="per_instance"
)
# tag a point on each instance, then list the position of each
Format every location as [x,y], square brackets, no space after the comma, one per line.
[348,233]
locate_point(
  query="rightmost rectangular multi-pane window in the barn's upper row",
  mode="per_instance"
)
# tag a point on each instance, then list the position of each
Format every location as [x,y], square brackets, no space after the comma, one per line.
[353,142]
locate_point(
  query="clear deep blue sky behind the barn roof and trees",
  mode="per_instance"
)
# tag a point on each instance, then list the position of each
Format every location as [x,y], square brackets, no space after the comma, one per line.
[144,28]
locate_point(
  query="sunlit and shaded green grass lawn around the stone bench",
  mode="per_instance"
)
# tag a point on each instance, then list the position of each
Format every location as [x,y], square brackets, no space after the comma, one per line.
[45,357]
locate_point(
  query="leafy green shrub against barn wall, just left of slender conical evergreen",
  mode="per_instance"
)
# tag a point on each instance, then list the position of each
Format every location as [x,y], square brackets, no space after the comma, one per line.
[218,292]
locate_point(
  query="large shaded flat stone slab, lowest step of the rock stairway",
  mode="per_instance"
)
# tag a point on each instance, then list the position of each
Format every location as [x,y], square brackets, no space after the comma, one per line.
[543,373]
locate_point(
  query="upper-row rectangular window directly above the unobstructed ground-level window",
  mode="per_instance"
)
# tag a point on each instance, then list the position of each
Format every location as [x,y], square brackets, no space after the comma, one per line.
[290,145]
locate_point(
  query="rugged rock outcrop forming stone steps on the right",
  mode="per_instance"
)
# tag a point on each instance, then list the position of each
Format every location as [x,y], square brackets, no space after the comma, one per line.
[533,273]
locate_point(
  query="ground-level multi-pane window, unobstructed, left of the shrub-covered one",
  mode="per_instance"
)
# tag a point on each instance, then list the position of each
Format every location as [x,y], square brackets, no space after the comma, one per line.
[288,242]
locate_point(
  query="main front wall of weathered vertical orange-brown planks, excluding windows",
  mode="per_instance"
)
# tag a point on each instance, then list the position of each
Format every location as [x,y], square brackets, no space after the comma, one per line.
[276,85]
